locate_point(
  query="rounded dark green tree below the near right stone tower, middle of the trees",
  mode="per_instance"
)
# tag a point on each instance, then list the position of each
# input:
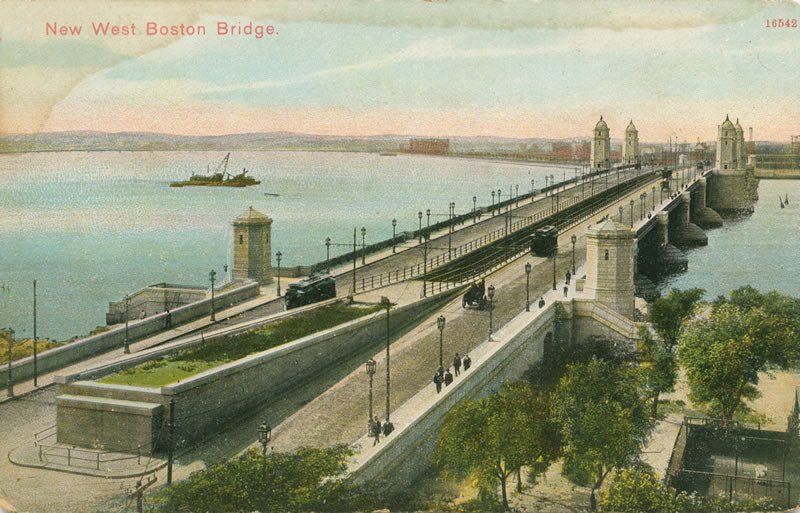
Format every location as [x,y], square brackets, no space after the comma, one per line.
[603,419]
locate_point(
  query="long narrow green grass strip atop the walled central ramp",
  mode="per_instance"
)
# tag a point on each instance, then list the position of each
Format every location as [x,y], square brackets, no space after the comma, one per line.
[163,372]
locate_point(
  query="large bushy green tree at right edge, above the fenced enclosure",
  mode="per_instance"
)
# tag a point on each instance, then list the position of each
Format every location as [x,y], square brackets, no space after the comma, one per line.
[742,337]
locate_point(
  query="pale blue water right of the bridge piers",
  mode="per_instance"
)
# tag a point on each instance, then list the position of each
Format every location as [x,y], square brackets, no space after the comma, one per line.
[760,250]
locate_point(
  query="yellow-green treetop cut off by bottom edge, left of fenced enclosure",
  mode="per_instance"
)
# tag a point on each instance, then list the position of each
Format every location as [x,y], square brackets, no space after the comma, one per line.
[636,491]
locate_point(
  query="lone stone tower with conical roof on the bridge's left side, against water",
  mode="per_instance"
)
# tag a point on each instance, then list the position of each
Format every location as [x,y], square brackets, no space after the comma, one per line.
[252,232]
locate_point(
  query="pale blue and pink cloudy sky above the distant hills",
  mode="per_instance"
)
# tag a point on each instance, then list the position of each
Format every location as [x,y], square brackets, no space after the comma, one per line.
[513,68]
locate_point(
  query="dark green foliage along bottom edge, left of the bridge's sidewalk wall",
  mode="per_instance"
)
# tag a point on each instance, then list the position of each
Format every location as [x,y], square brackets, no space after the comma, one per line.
[303,480]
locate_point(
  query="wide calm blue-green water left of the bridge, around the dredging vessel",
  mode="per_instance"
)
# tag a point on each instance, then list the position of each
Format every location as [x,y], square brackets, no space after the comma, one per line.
[91,227]
